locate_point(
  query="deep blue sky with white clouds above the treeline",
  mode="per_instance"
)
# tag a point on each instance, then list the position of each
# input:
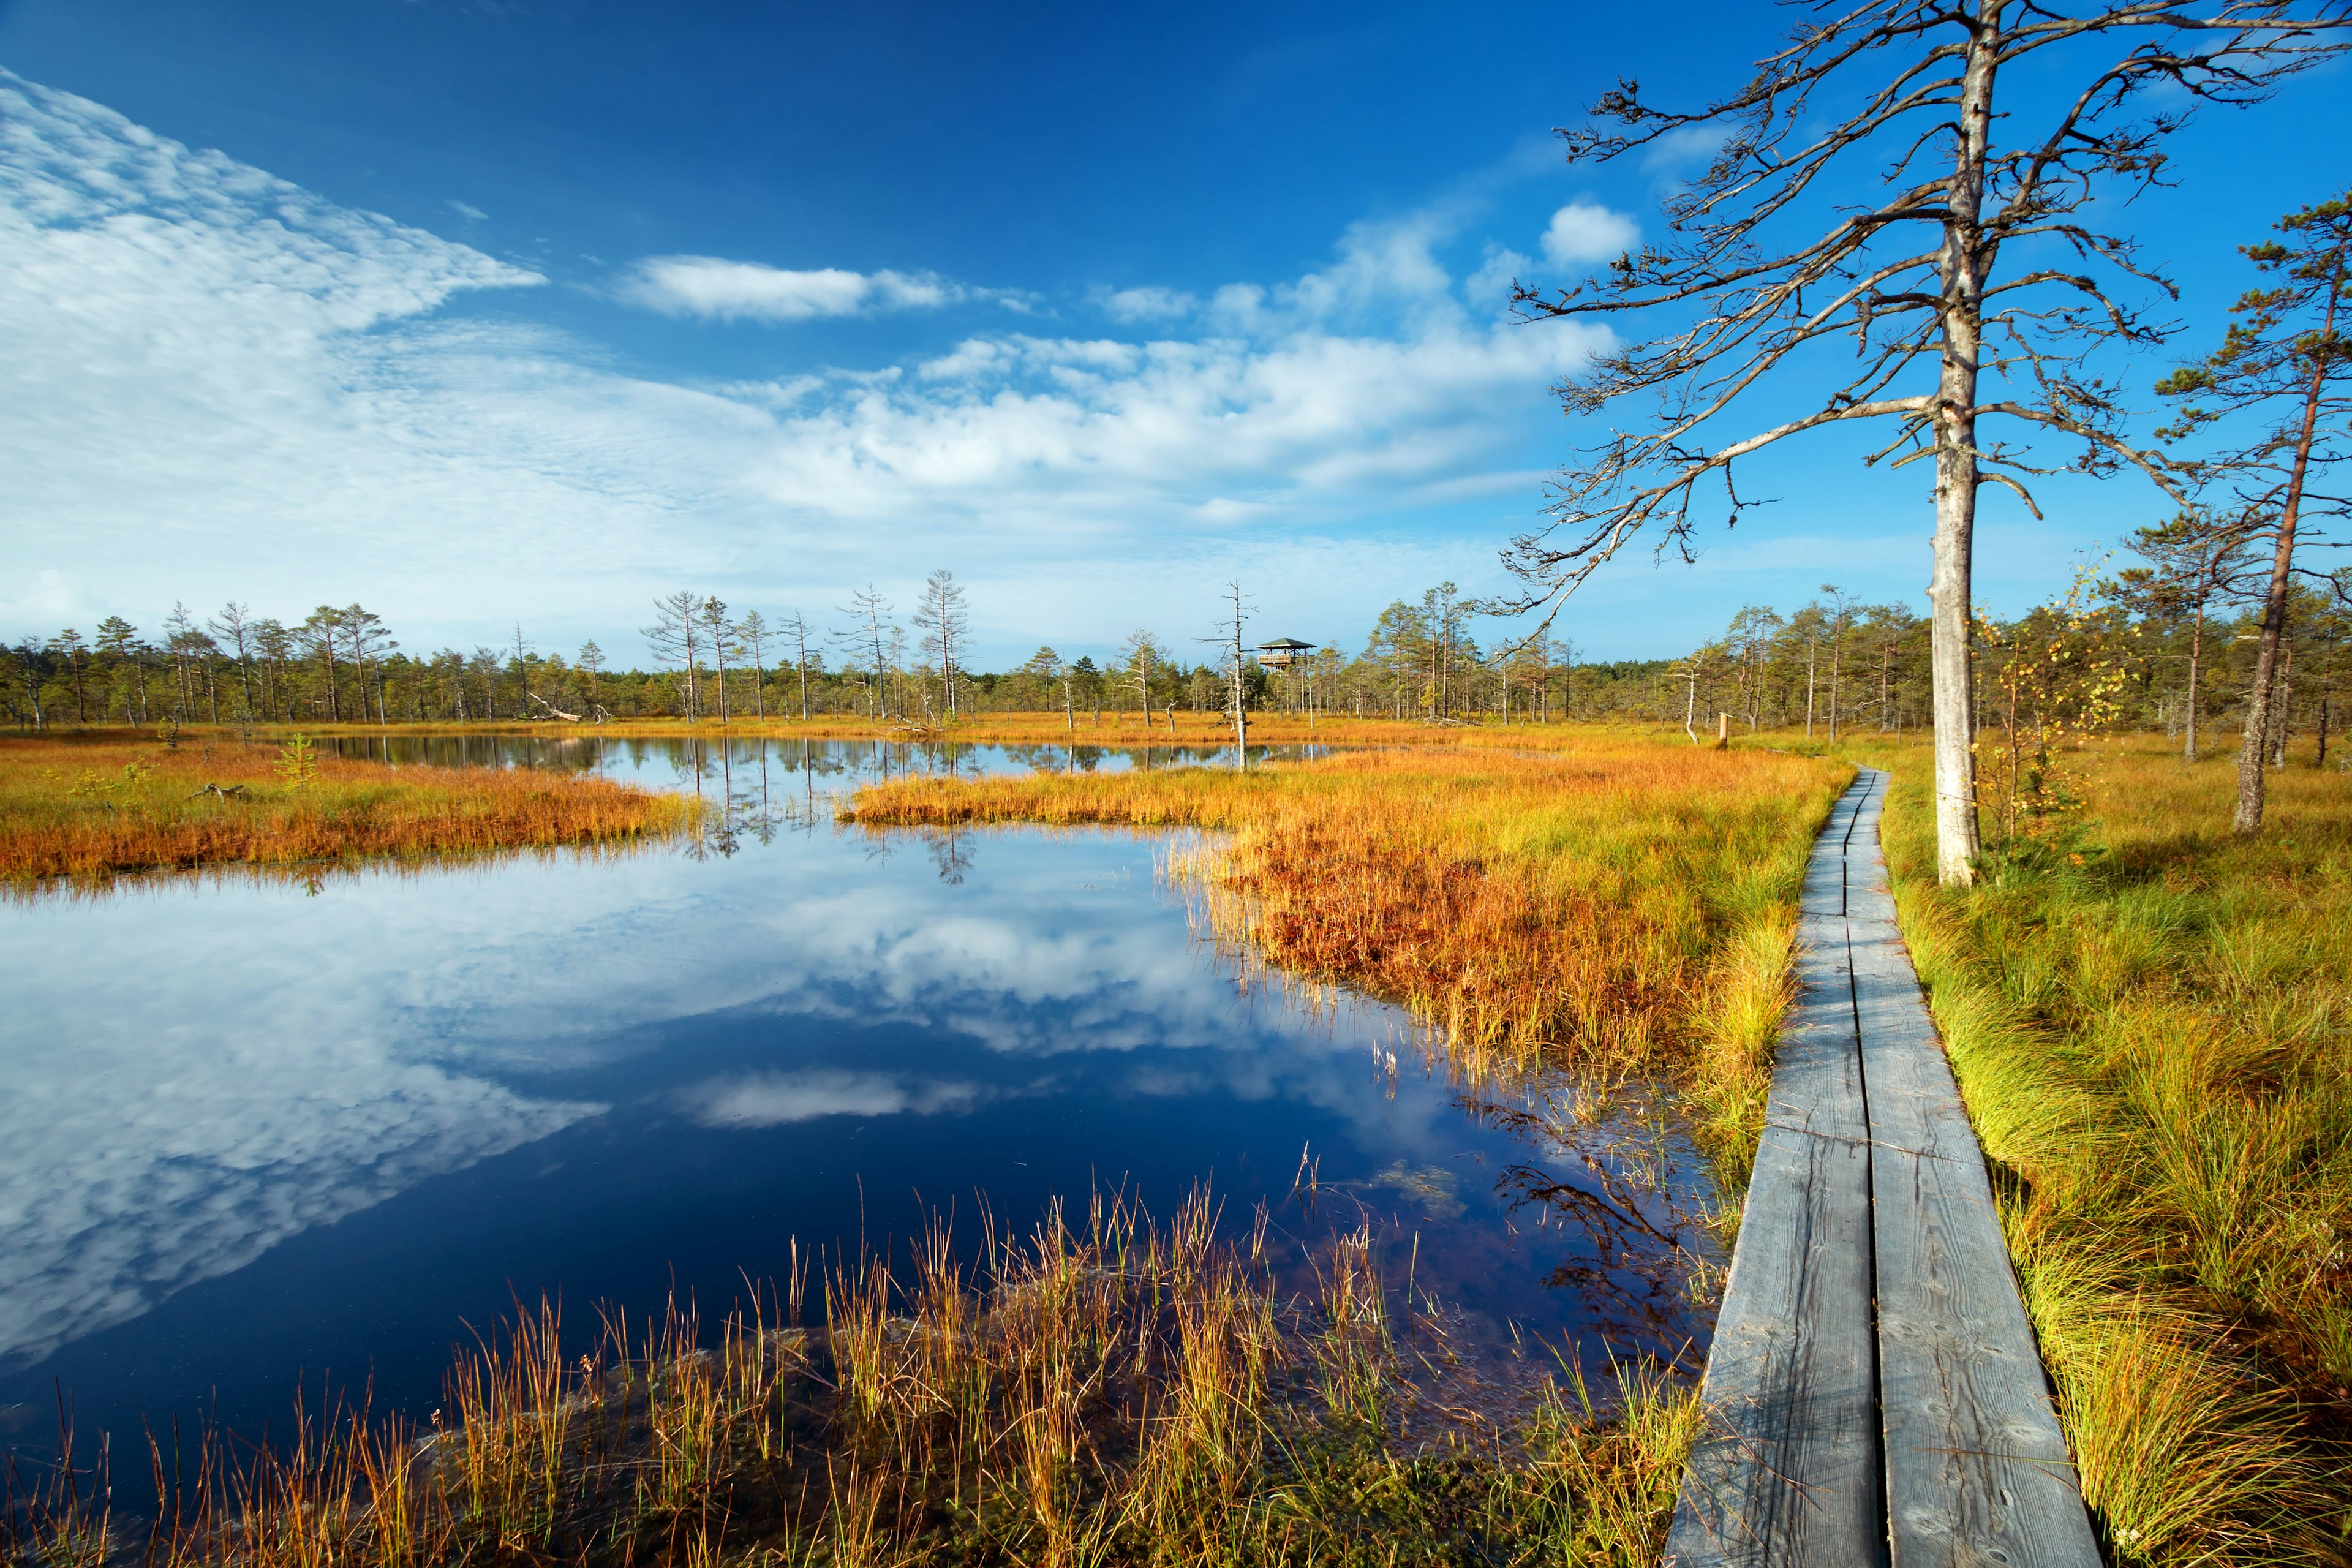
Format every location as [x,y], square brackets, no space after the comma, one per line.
[490,311]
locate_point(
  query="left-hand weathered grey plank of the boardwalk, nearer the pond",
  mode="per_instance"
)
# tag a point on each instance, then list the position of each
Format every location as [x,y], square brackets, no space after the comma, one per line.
[1789,1470]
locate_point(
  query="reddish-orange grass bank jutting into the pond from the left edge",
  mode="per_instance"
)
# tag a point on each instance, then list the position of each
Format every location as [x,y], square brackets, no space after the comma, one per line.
[109,805]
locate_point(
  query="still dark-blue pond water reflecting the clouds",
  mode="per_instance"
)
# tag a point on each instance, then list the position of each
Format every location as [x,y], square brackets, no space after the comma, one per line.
[260,1134]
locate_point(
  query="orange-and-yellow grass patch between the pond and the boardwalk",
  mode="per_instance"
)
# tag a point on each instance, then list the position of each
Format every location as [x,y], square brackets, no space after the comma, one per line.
[1601,904]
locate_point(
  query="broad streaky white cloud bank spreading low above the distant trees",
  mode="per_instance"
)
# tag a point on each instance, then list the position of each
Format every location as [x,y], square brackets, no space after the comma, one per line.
[225,387]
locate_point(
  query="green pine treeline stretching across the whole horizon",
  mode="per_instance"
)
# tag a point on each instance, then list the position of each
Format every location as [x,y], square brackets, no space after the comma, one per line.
[2167,645]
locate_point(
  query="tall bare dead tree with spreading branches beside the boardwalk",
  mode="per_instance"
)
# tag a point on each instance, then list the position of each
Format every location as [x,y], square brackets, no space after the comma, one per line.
[1883,232]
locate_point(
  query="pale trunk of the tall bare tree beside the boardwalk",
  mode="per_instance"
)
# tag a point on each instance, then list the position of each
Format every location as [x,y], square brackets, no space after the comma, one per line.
[1956,462]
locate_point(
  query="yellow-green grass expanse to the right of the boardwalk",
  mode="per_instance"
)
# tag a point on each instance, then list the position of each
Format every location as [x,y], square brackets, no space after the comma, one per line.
[2153,1026]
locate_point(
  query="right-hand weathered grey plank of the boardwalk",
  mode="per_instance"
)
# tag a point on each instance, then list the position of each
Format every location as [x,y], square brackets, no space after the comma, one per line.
[1977,1468]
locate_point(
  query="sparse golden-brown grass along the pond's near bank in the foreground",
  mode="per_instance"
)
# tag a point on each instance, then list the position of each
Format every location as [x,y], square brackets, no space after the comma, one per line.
[1107,1395]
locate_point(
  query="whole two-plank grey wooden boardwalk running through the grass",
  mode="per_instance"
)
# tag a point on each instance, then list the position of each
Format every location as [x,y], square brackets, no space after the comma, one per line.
[1876,1393]
